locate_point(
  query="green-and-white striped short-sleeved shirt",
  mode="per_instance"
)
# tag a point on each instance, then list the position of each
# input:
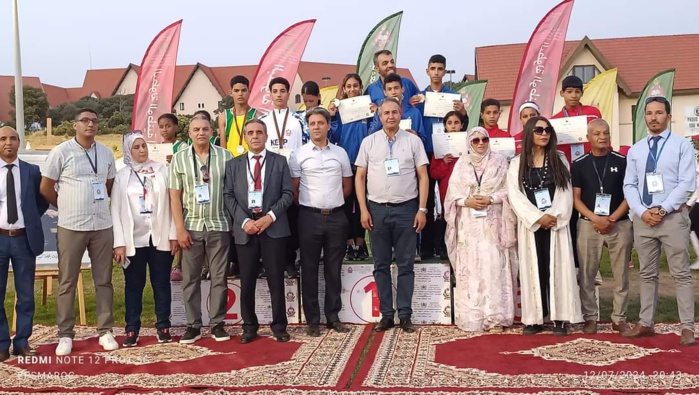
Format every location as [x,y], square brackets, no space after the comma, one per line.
[199,217]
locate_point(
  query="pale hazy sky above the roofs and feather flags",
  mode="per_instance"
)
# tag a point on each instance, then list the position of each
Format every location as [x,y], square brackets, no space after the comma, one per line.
[61,40]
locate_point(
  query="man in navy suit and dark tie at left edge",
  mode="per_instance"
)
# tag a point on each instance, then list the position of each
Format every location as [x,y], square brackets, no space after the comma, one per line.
[21,239]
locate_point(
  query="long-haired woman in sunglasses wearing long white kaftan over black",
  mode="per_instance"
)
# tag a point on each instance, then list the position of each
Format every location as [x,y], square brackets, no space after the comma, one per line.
[540,192]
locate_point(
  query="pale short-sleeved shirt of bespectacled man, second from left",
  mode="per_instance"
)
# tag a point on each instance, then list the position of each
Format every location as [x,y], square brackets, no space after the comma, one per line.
[69,165]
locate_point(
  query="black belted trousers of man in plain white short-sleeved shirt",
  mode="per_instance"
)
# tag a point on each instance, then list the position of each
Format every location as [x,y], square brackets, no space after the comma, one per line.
[329,233]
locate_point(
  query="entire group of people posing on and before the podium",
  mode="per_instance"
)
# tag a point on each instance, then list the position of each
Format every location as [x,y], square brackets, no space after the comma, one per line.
[283,181]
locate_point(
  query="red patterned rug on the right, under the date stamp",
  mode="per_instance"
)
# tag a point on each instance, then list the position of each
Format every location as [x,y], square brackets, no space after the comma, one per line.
[444,358]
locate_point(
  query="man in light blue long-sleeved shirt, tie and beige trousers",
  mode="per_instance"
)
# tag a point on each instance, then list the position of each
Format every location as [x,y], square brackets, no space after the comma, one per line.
[660,176]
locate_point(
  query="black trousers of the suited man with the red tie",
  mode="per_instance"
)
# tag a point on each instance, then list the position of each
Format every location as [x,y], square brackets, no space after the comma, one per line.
[272,251]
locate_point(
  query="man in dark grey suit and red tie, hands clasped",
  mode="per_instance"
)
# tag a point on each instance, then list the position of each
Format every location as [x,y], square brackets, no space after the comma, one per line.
[257,194]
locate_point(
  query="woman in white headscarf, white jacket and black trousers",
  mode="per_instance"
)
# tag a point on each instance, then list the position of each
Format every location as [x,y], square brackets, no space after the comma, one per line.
[144,235]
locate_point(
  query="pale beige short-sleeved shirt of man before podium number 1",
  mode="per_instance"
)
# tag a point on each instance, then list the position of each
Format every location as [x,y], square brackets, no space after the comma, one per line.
[373,153]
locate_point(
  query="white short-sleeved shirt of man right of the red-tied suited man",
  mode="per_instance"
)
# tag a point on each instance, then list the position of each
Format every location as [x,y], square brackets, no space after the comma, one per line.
[321,171]
